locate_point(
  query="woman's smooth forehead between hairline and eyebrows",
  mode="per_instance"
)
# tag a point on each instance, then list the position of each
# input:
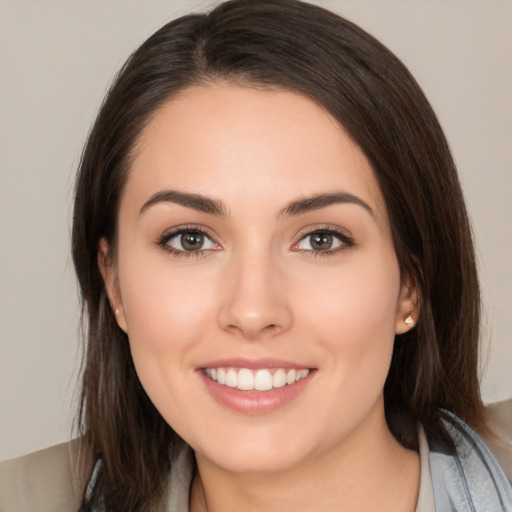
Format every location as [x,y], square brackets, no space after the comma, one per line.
[230,142]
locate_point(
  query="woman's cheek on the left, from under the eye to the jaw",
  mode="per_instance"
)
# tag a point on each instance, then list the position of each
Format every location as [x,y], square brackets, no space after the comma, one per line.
[169,313]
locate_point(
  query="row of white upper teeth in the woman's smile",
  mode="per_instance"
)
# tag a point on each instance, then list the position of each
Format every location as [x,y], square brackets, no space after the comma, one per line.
[259,380]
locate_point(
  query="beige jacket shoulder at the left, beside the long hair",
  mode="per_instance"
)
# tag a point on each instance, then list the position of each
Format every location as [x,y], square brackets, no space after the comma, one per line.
[46,480]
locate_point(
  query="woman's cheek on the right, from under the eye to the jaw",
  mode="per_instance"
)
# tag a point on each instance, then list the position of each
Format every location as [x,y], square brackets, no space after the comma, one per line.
[354,319]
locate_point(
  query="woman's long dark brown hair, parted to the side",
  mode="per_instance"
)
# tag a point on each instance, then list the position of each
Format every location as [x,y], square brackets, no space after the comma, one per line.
[294,46]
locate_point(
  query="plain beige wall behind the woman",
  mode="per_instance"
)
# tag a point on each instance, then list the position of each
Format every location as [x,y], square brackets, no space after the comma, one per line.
[56,59]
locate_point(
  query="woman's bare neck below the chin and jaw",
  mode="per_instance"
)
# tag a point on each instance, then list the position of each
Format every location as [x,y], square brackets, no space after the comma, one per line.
[367,471]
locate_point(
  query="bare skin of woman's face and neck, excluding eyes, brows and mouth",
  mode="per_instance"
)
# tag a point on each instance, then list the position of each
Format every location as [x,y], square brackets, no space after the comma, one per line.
[259,290]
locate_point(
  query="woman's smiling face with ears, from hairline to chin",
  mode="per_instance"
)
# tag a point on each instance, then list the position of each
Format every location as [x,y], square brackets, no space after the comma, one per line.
[256,278]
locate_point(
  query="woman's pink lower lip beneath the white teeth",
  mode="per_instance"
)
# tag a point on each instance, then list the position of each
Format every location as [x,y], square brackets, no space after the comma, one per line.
[255,402]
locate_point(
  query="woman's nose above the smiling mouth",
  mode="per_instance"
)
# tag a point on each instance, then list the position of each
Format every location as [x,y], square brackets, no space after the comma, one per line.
[255,301]
